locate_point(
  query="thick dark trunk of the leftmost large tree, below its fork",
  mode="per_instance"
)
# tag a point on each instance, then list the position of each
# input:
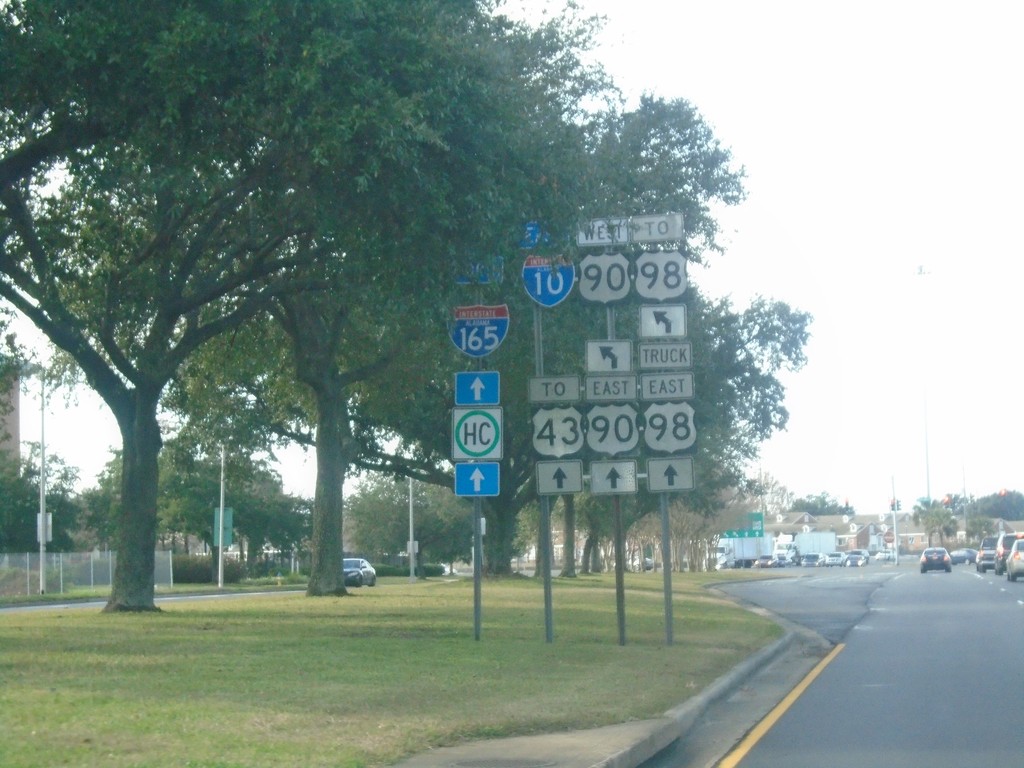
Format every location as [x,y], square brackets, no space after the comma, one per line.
[133,589]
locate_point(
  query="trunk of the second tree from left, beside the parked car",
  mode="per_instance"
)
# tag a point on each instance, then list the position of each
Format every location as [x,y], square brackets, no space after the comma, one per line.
[327,573]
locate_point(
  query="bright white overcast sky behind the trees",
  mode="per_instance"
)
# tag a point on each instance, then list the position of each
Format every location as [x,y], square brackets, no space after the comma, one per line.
[882,148]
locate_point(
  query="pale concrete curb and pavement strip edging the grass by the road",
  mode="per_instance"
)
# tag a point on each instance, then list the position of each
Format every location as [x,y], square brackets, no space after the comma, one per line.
[625,746]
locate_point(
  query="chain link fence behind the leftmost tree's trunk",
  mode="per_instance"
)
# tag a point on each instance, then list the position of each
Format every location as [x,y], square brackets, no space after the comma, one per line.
[67,572]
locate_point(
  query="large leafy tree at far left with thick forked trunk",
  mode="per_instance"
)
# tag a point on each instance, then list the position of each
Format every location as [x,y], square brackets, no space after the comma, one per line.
[166,170]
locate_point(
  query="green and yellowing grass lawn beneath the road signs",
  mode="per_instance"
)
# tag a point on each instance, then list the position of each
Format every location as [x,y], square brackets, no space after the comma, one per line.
[364,680]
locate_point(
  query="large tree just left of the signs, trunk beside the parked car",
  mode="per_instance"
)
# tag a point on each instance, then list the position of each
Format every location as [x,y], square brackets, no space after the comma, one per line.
[504,105]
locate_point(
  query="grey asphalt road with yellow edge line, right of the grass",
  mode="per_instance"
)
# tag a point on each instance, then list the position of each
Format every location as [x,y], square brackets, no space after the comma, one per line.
[930,672]
